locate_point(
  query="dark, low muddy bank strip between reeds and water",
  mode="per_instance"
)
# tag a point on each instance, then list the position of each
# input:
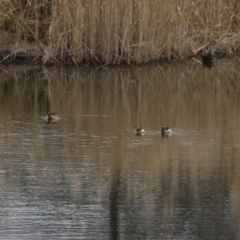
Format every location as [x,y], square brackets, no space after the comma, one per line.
[34,56]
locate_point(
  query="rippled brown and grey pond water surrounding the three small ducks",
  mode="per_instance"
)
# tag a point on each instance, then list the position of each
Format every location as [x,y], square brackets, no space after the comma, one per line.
[88,176]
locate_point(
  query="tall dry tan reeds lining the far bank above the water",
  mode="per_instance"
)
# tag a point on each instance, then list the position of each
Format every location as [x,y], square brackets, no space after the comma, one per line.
[114,32]
